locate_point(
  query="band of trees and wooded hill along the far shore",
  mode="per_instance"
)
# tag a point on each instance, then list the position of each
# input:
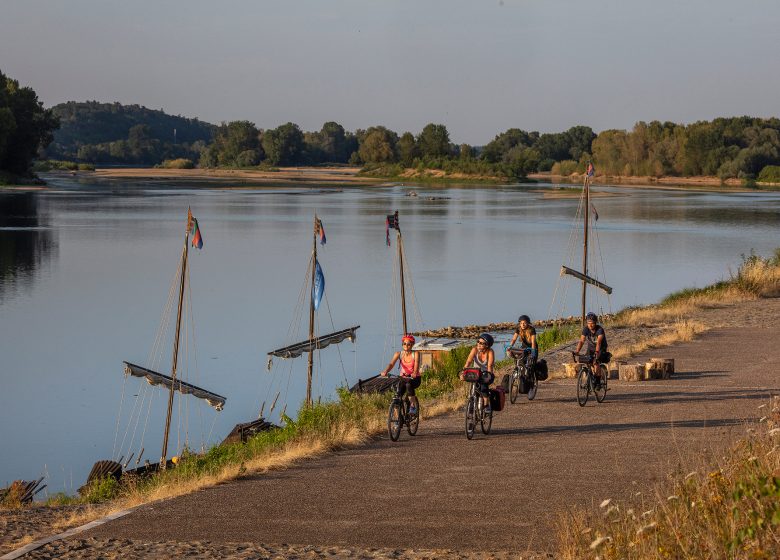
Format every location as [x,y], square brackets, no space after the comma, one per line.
[112,133]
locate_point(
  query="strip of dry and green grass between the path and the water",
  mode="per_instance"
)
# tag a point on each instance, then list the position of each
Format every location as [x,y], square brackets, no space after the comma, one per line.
[680,317]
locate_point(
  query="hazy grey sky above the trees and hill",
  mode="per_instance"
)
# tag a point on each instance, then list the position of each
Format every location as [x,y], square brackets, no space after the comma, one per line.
[479,67]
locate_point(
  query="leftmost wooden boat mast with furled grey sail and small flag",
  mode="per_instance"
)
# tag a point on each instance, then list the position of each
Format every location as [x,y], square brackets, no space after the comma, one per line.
[171,382]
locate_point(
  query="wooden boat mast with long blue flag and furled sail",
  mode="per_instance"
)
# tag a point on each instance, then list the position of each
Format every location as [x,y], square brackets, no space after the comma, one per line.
[316,294]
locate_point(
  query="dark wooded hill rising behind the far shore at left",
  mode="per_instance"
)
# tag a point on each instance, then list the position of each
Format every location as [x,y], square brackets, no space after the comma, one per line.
[114,133]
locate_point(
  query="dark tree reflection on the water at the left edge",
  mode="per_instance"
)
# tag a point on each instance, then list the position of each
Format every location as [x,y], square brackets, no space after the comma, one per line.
[26,242]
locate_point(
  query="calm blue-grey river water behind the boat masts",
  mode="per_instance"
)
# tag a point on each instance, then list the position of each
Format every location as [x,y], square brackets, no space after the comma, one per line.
[85,271]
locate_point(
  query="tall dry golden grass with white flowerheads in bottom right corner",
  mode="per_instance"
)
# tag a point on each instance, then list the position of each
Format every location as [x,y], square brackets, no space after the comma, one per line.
[730,510]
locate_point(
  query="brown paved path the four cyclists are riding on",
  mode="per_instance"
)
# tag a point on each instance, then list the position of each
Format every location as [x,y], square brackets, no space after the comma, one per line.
[498,492]
